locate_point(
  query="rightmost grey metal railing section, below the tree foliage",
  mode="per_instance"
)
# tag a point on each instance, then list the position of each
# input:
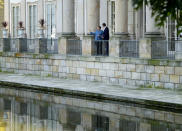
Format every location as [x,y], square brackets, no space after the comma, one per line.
[163,49]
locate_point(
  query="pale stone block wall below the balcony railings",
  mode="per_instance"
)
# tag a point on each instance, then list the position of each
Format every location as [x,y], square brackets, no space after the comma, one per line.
[129,72]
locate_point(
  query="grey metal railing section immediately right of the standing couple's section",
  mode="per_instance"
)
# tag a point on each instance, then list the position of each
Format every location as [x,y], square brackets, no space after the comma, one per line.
[129,48]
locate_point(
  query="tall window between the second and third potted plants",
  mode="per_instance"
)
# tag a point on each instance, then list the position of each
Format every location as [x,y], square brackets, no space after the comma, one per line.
[32,21]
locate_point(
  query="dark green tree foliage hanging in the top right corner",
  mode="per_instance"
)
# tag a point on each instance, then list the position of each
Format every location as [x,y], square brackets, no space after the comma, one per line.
[162,9]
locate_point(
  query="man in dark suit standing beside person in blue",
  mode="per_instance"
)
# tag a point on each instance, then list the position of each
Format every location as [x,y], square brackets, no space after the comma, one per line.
[105,45]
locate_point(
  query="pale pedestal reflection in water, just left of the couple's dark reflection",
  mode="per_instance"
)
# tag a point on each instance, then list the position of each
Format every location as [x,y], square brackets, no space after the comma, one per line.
[86,121]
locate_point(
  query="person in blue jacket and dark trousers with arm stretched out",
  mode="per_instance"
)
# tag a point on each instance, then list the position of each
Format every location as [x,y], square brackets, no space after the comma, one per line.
[98,40]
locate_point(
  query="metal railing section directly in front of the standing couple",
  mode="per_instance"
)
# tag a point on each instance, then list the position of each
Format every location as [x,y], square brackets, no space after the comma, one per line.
[100,48]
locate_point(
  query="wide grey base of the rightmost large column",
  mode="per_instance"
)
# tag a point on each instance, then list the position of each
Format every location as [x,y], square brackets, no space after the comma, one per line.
[155,35]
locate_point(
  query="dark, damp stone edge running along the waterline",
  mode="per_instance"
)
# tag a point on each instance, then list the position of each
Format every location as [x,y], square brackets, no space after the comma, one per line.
[151,104]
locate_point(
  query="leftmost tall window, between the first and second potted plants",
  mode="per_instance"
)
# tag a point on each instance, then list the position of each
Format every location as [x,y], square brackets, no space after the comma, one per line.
[15,19]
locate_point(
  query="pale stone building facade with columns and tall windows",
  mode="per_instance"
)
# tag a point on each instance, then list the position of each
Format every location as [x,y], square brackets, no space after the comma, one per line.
[79,17]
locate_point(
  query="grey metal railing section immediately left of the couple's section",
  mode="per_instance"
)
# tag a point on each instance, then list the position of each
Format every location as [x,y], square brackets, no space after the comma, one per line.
[74,47]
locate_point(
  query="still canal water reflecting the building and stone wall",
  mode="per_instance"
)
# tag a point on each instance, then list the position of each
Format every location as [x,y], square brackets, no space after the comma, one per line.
[29,110]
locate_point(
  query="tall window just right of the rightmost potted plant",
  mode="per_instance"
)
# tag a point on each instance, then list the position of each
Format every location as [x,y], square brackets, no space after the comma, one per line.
[50,20]
